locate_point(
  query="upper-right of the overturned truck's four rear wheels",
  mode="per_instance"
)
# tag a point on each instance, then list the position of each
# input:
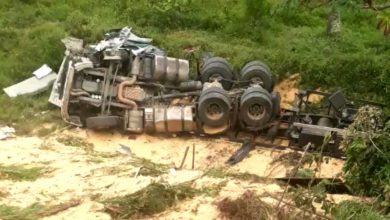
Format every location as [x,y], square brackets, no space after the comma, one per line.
[258,72]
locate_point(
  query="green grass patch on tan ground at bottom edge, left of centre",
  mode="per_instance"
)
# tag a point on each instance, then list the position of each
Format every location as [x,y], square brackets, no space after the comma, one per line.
[154,198]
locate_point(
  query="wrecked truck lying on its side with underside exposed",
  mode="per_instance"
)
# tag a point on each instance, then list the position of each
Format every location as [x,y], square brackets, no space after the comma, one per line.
[124,82]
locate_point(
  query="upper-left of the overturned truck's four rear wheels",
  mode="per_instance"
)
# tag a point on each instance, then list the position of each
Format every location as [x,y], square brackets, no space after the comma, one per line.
[217,68]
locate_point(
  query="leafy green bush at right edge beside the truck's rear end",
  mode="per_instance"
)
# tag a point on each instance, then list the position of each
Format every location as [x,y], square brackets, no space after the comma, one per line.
[368,156]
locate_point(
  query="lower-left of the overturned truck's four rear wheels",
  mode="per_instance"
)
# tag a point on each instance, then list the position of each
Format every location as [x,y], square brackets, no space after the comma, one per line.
[214,107]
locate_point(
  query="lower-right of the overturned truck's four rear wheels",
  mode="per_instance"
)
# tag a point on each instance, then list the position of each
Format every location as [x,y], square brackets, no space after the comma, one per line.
[256,108]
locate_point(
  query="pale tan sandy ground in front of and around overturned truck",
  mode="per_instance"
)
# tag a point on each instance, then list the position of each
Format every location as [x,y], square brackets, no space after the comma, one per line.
[72,173]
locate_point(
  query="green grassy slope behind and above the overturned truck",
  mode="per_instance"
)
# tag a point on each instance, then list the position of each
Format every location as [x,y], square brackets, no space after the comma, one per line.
[289,39]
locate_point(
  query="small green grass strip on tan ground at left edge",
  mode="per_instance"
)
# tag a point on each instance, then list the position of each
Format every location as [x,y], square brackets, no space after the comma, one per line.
[20,173]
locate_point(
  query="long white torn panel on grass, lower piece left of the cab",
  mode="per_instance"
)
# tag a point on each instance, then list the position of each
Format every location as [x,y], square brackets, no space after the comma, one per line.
[31,86]
